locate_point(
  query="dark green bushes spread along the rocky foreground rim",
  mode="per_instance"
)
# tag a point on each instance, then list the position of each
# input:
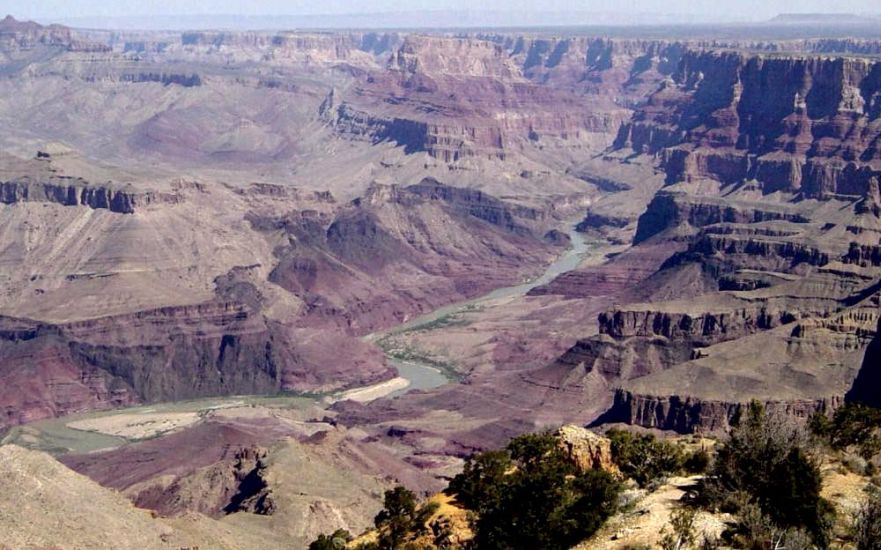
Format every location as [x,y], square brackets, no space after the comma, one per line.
[765,478]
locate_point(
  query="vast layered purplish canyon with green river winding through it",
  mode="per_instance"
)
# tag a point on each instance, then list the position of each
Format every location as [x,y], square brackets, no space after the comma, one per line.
[555,227]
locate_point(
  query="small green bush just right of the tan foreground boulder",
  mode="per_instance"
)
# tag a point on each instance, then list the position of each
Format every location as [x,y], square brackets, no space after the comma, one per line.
[644,458]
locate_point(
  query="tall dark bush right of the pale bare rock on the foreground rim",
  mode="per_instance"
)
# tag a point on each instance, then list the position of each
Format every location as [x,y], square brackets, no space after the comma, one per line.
[764,461]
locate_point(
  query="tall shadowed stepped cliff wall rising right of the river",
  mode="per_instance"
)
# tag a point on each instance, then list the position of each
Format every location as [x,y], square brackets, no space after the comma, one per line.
[769,210]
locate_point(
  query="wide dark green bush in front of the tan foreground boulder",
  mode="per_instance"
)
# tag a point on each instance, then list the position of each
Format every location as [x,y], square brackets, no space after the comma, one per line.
[530,496]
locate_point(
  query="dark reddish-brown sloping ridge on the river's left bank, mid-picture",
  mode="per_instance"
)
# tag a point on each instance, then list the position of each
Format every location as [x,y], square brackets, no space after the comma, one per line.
[404,235]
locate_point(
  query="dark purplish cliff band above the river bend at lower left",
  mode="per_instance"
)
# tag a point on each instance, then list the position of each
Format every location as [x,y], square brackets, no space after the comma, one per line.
[169,354]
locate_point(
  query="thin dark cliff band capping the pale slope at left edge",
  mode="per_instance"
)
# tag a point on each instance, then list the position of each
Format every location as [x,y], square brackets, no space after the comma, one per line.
[77,192]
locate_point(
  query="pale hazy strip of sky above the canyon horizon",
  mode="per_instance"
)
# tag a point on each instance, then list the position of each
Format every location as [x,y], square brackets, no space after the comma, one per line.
[755,9]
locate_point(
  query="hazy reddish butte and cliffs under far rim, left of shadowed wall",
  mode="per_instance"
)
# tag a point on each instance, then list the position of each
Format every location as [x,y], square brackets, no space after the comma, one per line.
[480,89]
